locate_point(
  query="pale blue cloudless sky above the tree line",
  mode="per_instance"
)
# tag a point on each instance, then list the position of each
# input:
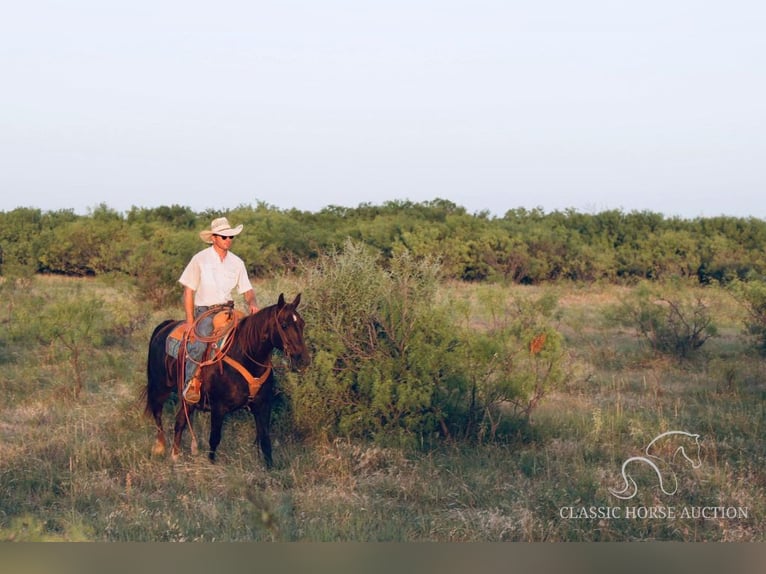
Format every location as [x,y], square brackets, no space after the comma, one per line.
[492,104]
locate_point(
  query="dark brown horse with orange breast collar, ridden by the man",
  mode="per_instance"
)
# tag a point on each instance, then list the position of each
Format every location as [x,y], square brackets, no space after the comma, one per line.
[225,385]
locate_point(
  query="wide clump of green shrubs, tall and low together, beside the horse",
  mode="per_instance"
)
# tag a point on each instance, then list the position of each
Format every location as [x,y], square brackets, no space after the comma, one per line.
[393,361]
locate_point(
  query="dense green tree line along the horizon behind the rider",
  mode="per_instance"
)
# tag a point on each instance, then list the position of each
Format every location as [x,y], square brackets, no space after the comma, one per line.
[522,246]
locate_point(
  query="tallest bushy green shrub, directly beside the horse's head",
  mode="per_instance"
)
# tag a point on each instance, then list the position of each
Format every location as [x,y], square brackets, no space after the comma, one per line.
[376,343]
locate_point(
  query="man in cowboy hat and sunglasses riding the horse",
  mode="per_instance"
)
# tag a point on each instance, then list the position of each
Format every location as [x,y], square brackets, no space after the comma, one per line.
[208,280]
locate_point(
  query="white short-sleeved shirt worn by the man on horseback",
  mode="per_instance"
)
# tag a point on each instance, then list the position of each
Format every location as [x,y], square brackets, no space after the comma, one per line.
[213,280]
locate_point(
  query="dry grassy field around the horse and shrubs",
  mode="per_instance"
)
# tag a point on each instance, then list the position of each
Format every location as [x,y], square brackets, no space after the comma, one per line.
[75,460]
